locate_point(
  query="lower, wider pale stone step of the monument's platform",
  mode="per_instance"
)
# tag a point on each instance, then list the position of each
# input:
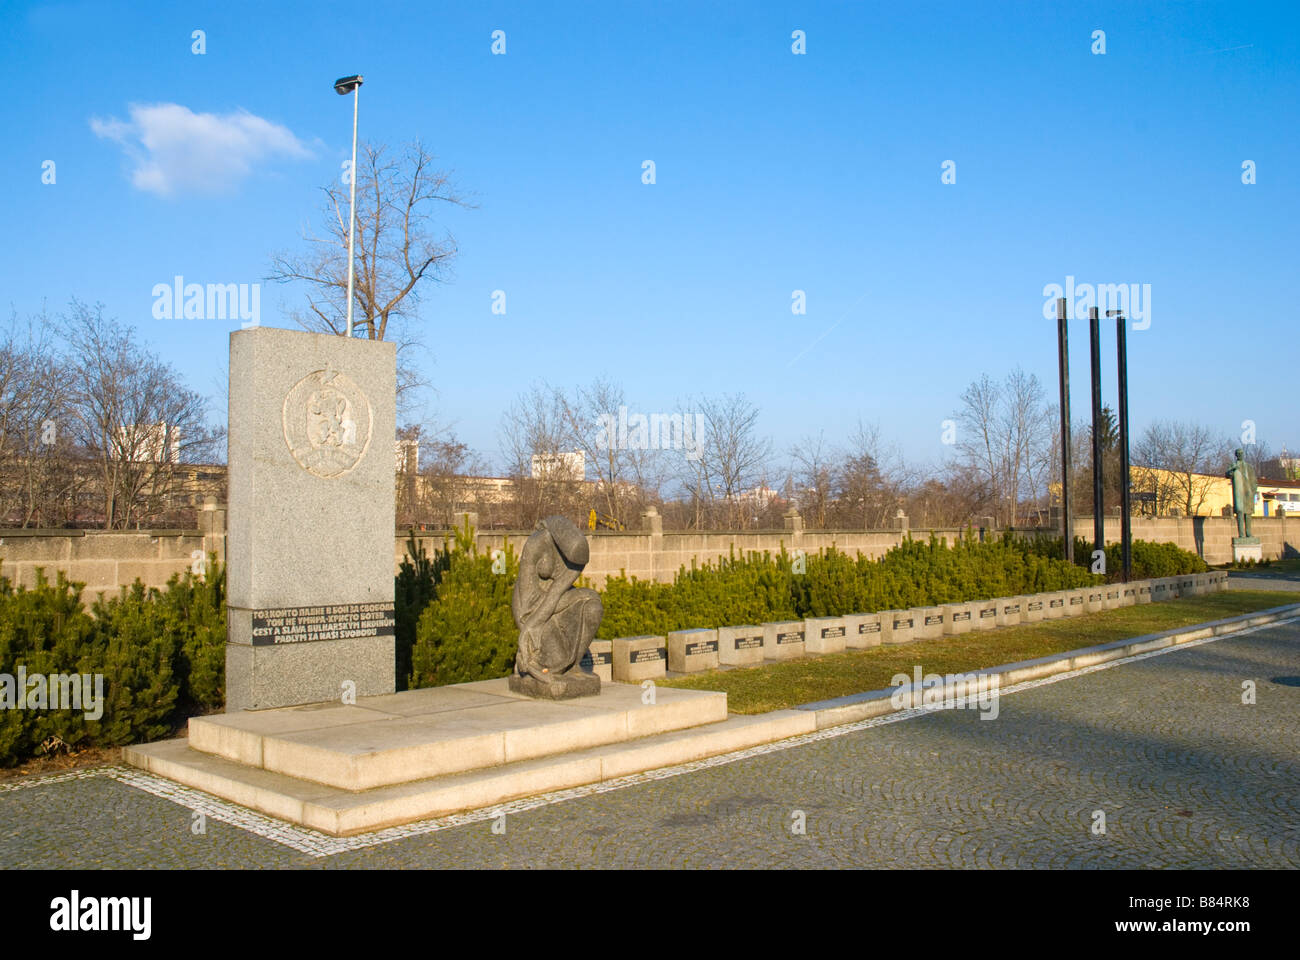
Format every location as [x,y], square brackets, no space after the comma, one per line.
[344,812]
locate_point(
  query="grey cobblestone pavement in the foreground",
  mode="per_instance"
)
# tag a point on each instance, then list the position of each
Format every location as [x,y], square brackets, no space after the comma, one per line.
[1186,775]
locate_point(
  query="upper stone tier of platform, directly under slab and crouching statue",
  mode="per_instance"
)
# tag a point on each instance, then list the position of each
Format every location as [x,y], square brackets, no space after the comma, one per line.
[417,736]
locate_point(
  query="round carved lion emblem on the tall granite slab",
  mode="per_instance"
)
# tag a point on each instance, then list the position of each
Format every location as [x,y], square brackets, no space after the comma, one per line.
[327,423]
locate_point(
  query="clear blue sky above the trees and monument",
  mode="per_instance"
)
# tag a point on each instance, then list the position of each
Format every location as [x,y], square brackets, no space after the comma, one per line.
[775,172]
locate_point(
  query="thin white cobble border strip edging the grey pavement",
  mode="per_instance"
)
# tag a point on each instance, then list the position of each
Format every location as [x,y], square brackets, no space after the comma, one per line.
[318,845]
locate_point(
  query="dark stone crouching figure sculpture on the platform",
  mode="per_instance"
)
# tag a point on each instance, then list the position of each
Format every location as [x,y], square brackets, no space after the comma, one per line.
[557,621]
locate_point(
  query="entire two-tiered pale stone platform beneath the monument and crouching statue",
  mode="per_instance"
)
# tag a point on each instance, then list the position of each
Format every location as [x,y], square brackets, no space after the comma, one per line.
[395,759]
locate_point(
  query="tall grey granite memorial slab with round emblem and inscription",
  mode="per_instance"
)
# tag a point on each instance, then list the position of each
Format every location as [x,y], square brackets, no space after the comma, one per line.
[311,518]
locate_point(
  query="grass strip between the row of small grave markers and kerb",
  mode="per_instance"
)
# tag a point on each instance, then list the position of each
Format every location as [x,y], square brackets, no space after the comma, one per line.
[786,685]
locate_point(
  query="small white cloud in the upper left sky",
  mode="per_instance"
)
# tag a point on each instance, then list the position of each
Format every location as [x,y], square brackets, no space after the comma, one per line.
[172,148]
